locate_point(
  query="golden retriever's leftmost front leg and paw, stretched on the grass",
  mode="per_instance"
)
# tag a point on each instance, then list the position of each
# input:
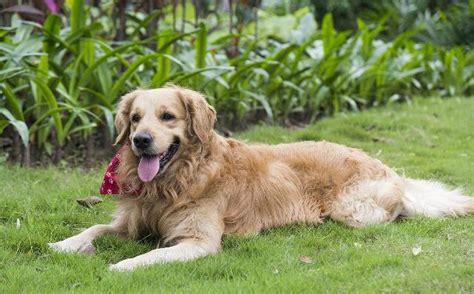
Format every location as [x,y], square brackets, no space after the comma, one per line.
[82,243]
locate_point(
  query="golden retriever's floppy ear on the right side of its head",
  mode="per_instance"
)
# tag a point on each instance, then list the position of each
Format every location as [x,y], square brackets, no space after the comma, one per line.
[200,116]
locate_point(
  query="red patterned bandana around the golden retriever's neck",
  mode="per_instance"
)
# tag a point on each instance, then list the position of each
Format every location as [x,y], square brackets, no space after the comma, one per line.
[110,185]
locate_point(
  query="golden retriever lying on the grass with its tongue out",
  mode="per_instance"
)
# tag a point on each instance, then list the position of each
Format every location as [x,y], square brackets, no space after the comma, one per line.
[196,186]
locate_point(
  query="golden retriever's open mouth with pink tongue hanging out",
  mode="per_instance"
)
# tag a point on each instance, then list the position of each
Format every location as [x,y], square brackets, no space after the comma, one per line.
[150,165]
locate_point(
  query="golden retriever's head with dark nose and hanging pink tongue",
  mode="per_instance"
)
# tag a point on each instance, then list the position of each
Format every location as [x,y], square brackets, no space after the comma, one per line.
[161,125]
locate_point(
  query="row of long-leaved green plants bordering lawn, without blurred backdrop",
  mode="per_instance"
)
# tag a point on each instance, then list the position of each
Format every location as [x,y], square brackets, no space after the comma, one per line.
[59,84]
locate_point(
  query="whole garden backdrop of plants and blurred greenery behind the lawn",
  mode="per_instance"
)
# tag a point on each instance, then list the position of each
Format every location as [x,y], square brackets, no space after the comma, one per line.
[64,64]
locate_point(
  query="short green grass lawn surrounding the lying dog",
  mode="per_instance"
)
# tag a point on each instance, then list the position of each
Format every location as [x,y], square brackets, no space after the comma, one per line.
[432,138]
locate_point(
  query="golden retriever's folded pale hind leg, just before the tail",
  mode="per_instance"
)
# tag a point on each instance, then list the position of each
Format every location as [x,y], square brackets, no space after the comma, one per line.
[369,202]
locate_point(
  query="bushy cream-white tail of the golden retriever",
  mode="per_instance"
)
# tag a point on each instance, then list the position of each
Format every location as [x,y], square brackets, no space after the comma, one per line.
[433,199]
